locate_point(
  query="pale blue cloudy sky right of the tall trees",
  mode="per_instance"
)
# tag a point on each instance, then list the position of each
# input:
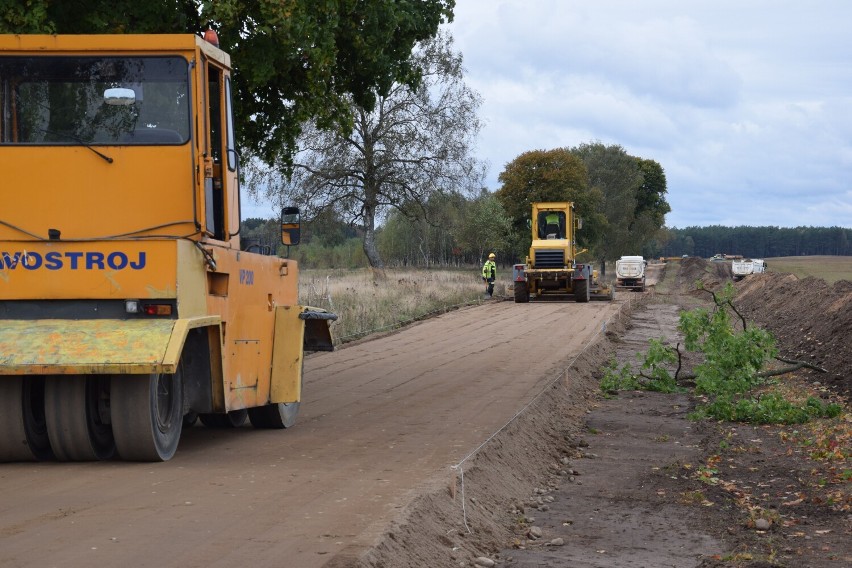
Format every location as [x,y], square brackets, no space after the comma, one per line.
[747,105]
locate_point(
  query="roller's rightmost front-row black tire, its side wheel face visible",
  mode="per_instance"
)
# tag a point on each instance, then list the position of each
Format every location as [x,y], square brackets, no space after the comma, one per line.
[147,415]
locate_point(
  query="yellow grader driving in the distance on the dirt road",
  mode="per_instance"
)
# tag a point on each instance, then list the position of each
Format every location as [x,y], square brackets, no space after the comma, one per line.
[551,270]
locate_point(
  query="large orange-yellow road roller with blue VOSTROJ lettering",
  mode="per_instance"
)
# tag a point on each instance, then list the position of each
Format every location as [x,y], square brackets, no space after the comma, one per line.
[127,307]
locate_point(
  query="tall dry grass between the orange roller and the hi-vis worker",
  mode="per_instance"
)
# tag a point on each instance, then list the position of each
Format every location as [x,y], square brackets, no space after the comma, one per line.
[366,304]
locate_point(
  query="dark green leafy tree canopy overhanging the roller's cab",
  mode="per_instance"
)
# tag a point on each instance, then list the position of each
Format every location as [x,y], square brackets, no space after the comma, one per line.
[294,59]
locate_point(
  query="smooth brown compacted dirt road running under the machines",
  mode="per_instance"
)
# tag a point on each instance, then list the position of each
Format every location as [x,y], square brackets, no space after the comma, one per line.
[382,422]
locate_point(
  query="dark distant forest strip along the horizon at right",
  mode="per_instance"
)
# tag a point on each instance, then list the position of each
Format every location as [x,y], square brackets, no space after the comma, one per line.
[753,242]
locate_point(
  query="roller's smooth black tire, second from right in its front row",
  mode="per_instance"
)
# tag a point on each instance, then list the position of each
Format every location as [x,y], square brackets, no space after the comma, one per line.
[74,410]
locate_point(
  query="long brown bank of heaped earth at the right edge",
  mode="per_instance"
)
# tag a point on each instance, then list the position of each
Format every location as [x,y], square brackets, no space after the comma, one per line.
[810,319]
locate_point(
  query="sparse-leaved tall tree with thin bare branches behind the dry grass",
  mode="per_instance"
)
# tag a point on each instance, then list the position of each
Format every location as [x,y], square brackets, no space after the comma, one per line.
[413,143]
